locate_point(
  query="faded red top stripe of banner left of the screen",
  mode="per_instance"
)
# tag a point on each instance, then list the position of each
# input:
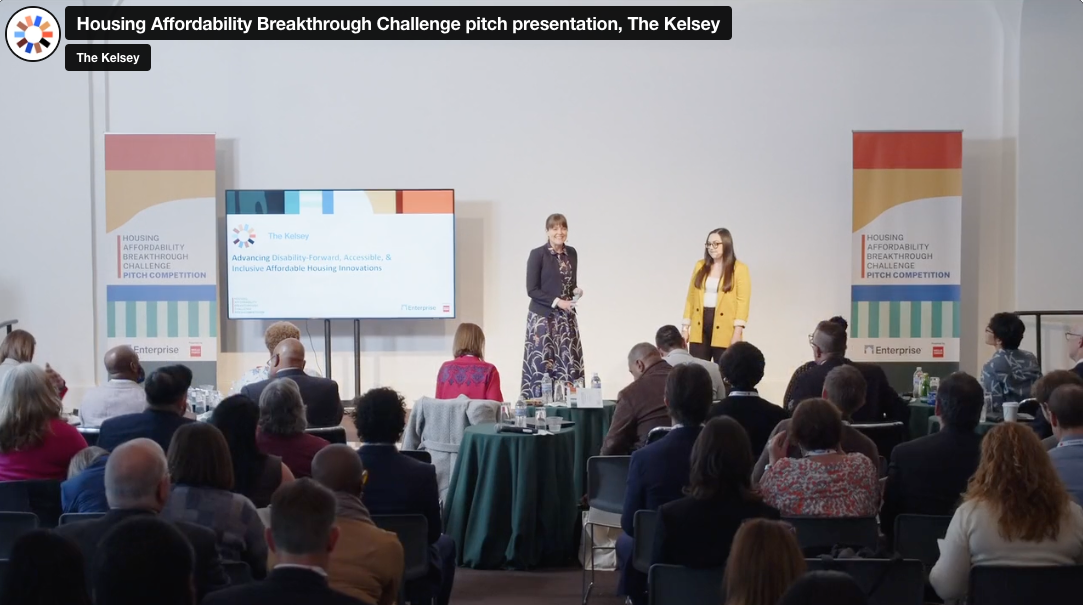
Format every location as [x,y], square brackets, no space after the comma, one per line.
[160,152]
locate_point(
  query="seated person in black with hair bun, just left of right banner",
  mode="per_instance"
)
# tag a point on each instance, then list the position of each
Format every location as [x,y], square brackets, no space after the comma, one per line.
[829,352]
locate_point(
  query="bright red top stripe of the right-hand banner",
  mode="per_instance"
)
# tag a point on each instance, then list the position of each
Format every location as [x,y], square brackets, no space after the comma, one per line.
[908,151]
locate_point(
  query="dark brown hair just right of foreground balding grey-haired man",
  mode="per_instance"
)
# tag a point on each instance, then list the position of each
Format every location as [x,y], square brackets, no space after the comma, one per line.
[200,457]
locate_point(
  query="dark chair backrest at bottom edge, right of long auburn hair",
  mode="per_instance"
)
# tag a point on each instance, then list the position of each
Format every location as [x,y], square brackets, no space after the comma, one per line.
[886,582]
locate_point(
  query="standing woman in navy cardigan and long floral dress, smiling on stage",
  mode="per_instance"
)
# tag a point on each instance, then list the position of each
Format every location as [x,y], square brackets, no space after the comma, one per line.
[553,334]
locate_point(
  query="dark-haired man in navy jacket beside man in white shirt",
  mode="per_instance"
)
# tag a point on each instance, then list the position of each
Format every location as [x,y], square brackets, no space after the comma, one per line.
[167,400]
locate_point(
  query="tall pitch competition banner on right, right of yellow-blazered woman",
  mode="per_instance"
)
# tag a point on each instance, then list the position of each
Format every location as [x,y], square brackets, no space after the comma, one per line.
[908,216]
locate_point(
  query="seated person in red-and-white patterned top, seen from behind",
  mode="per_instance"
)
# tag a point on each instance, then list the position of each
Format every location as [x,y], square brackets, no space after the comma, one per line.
[827,482]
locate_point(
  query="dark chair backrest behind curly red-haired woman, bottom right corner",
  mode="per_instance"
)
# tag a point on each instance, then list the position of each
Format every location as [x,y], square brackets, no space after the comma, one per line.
[996,585]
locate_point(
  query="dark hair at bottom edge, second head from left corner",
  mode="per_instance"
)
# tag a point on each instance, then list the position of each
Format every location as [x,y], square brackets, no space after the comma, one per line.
[145,560]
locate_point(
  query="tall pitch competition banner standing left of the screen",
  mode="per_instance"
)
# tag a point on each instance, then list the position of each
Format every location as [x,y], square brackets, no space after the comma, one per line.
[162,277]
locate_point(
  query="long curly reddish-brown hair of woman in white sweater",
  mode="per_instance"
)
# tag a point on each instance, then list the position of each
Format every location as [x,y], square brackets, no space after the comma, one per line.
[1017,480]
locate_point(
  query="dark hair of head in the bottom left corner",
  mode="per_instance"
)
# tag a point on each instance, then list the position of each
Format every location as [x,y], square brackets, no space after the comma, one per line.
[45,569]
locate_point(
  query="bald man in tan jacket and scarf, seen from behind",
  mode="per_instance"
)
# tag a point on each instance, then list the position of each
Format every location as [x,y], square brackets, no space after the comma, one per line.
[368,563]
